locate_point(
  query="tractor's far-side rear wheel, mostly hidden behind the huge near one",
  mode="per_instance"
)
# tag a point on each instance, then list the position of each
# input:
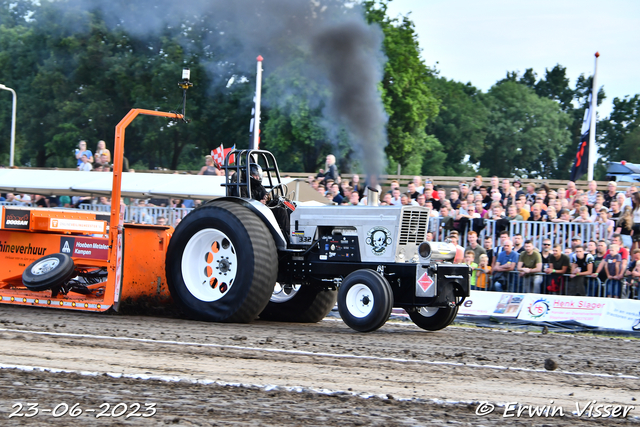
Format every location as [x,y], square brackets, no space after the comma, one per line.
[301,304]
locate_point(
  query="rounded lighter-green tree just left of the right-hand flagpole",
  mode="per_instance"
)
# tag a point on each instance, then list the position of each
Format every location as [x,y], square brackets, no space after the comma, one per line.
[526,132]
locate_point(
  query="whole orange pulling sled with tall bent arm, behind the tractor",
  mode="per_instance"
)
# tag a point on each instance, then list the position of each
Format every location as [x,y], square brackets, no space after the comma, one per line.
[102,273]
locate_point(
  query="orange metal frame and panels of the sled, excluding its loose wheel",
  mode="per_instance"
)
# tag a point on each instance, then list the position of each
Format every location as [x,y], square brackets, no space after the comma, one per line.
[146,247]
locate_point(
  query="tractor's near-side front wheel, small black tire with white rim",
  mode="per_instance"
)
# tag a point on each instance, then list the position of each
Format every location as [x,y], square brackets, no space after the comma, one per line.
[365,300]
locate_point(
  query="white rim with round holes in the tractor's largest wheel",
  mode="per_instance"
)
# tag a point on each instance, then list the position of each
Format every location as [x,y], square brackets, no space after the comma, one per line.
[209,265]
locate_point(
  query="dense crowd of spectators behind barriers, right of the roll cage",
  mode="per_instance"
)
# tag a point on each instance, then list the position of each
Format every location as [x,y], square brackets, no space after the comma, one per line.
[605,265]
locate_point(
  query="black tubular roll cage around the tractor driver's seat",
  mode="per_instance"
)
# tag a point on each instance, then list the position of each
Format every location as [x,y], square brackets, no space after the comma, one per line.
[240,169]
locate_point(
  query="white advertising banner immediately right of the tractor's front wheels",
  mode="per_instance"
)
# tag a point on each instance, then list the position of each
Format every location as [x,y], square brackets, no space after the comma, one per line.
[498,304]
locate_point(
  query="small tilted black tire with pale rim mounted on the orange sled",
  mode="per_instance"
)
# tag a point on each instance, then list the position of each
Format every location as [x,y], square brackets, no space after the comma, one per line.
[48,272]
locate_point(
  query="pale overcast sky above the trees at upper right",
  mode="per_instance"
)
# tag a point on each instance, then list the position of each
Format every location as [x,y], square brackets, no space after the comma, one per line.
[479,41]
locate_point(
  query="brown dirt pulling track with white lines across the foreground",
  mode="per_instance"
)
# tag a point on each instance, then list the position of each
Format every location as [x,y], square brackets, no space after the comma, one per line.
[458,367]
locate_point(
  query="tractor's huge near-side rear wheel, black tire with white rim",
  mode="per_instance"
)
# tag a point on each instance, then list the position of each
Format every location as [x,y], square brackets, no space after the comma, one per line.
[222,263]
